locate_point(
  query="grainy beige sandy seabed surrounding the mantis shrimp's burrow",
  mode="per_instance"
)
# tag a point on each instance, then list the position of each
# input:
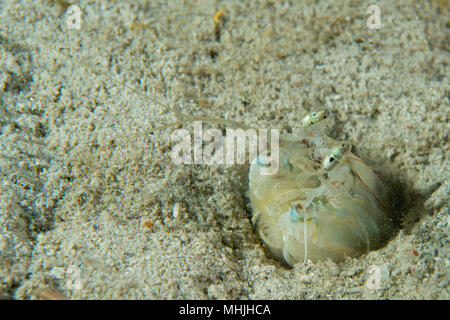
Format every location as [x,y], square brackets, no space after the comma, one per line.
[83,191]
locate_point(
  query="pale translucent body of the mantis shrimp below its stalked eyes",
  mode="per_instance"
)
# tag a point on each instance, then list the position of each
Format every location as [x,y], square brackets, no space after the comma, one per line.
[345,208]
